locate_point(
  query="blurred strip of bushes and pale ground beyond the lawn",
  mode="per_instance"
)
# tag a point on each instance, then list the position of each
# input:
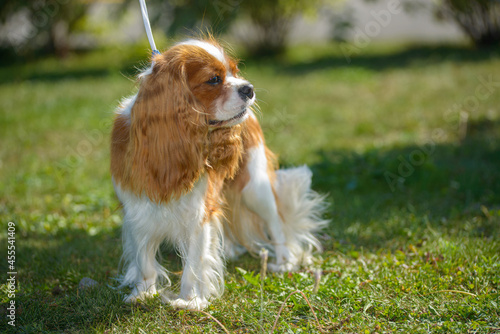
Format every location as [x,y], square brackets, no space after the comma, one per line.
[36,27]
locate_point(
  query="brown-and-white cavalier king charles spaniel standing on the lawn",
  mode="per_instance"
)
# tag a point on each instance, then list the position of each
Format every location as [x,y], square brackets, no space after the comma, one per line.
[191,168]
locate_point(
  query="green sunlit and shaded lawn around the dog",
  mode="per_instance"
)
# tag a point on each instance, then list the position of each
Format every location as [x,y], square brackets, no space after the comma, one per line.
[413,184]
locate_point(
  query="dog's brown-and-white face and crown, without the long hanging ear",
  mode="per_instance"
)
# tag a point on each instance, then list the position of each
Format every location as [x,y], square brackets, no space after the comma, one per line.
[202,71]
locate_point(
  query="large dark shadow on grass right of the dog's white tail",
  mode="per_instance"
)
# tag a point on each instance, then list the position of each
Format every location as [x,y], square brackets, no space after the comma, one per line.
[383,198]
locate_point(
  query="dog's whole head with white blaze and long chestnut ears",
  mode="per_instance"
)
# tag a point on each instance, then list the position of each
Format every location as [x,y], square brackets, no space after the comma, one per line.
[184,118]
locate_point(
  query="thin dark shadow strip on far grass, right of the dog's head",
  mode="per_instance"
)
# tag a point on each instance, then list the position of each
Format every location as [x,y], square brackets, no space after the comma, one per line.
[411,57]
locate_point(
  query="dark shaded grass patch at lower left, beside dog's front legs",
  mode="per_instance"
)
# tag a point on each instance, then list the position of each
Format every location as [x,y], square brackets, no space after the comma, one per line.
[49,270]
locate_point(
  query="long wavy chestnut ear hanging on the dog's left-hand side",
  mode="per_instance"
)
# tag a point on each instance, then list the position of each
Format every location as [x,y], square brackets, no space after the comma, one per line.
[168,133]
